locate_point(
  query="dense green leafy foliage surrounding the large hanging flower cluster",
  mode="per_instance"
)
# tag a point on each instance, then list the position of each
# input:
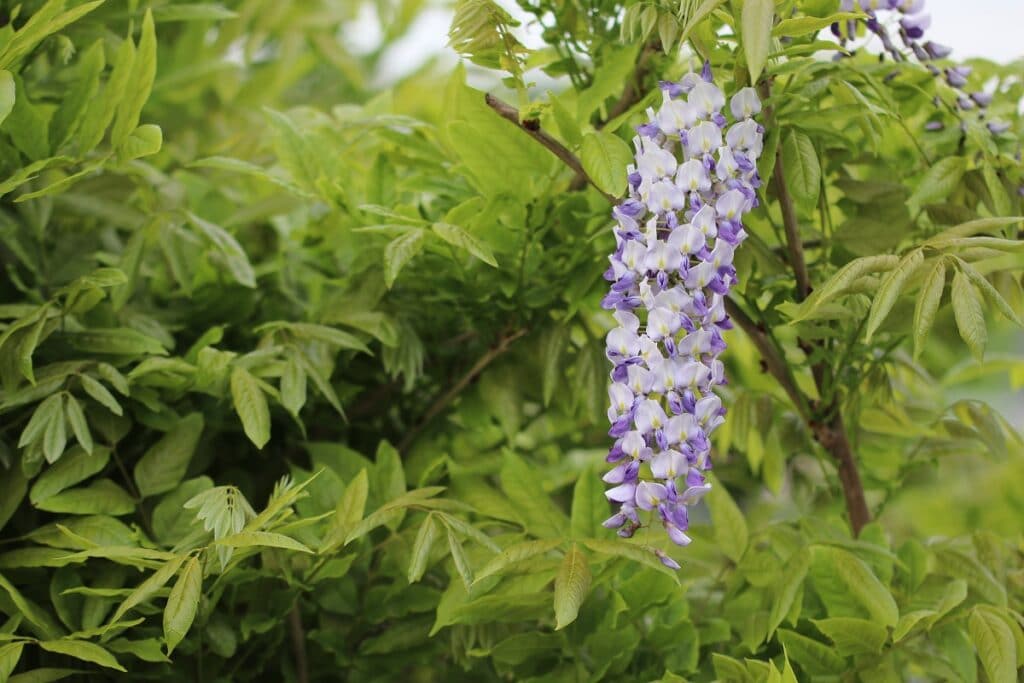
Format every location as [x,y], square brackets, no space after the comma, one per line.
[304,377]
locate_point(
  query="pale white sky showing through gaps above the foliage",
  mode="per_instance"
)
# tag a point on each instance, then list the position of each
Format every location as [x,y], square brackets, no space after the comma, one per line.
[989,29]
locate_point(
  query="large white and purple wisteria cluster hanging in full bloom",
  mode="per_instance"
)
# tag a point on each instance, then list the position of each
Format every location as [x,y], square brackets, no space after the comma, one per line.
[695,178]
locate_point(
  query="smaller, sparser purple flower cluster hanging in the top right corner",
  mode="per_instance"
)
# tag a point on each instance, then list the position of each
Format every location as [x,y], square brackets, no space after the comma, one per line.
[914,22]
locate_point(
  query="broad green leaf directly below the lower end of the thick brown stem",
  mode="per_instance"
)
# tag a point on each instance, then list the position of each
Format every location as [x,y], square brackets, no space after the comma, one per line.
[848,587]
